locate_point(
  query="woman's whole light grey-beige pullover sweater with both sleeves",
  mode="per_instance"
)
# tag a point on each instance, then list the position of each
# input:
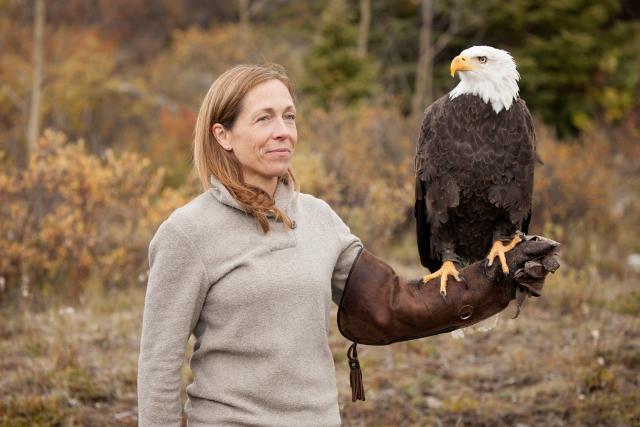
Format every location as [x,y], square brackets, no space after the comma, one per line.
[258,305]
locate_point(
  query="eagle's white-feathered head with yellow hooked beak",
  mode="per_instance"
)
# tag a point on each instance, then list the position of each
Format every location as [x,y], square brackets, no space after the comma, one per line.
[487,72]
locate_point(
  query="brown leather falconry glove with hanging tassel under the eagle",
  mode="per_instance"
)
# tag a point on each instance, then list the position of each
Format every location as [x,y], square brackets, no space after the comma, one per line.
[379,308]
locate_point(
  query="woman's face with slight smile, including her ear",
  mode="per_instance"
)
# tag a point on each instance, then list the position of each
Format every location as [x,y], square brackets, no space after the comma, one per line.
[264,134]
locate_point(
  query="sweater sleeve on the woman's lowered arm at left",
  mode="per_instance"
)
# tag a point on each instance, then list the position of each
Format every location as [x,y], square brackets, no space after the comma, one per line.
[176,290]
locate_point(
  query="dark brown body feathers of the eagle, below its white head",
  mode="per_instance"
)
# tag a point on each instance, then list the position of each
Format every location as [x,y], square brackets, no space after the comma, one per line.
[474,177]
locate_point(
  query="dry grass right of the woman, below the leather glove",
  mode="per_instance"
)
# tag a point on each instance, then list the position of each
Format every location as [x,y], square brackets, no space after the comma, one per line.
[572,358]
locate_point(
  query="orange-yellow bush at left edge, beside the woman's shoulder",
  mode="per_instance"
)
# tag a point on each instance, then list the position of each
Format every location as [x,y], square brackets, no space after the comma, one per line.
[71,215]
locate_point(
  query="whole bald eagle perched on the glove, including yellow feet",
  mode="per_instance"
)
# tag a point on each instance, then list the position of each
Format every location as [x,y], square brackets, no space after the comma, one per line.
[474,167]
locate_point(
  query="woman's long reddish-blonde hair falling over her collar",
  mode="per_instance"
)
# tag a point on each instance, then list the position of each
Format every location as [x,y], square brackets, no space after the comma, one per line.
[222,104]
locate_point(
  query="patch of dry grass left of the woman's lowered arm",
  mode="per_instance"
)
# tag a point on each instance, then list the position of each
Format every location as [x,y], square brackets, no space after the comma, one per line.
[71,365]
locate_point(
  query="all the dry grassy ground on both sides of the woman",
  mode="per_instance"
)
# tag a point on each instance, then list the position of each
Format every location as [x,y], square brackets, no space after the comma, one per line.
[572,358]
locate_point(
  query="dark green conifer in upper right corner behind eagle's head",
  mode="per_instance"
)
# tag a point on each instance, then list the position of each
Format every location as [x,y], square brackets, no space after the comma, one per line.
[578,62]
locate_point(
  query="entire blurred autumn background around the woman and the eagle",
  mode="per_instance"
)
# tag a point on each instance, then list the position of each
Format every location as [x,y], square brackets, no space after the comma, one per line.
[98,101]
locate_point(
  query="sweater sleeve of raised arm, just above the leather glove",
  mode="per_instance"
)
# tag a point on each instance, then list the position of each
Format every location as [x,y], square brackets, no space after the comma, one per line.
[350,246]
